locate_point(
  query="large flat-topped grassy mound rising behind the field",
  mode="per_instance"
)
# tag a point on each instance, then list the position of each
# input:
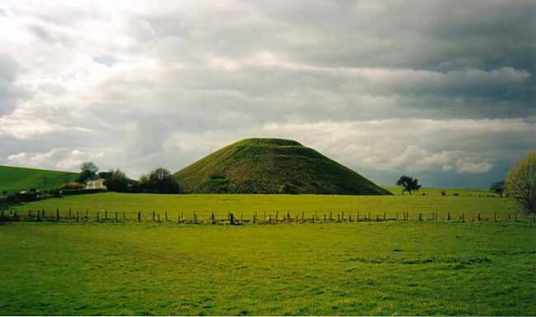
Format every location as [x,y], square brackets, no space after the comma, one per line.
[269,166]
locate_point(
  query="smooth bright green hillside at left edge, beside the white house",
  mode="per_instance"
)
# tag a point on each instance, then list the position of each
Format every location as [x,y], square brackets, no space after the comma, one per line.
[18,178]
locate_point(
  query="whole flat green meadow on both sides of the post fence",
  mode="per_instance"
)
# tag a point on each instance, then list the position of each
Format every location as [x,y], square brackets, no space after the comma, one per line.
[365,268]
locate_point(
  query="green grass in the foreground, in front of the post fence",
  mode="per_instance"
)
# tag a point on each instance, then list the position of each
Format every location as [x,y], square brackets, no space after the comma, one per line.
[366,268]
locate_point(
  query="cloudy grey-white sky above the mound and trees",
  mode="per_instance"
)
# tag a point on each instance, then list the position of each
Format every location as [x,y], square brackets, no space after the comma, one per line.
[444,91]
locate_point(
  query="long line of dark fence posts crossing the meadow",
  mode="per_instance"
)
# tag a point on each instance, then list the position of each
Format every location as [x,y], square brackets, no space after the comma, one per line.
[265,219]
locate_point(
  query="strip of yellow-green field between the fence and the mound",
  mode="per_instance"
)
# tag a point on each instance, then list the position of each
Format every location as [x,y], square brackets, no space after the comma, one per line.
[247,205]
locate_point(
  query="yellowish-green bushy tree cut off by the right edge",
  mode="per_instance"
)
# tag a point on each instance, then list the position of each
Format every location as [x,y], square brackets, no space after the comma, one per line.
[521,182]
